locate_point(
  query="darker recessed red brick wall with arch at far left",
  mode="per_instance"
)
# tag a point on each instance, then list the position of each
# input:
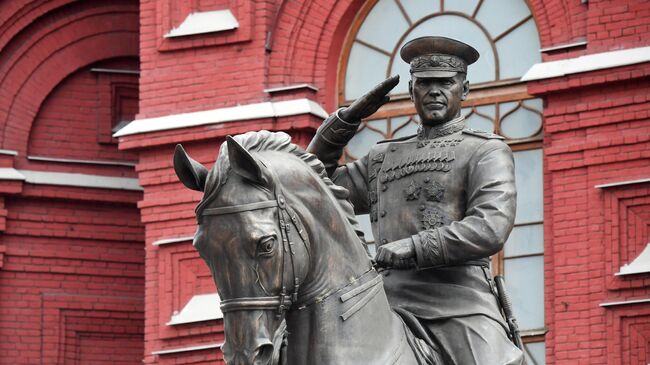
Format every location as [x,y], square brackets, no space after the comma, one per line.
[71,258]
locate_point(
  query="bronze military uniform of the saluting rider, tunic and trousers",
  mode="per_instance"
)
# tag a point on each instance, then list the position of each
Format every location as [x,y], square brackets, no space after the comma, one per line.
[453,193]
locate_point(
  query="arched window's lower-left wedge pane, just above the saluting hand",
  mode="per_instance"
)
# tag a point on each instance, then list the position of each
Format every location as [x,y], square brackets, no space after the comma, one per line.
[366,68]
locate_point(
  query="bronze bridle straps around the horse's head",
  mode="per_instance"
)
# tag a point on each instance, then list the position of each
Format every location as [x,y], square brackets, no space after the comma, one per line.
[287,217]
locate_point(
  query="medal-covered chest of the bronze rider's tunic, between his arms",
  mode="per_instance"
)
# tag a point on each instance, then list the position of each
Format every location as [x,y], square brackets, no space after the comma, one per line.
[414,186]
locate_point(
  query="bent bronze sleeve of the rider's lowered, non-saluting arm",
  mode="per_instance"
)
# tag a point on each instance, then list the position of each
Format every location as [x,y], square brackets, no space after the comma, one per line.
[490,214]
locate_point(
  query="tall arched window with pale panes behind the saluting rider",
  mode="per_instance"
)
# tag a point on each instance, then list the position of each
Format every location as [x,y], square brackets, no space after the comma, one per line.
[505,34]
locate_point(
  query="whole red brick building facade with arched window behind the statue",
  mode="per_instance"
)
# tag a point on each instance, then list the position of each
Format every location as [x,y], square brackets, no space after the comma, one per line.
[96,260]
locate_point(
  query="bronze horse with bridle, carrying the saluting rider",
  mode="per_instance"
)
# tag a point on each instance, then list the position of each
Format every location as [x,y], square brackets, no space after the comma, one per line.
[283,245]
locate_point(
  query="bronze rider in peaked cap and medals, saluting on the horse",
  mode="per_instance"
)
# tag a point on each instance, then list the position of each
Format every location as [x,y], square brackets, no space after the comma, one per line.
[441,202]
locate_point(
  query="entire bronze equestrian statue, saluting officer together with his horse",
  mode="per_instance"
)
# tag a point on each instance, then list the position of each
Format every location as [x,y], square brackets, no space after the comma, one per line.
[290,263]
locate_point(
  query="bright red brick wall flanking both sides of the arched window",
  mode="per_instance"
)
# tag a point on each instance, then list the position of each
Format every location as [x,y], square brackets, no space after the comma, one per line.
[596,128]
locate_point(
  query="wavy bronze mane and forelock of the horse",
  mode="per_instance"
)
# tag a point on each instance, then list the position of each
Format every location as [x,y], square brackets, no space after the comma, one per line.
[275,141]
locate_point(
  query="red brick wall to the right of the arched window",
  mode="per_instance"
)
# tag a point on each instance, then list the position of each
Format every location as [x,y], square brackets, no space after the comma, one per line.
[597,131]
